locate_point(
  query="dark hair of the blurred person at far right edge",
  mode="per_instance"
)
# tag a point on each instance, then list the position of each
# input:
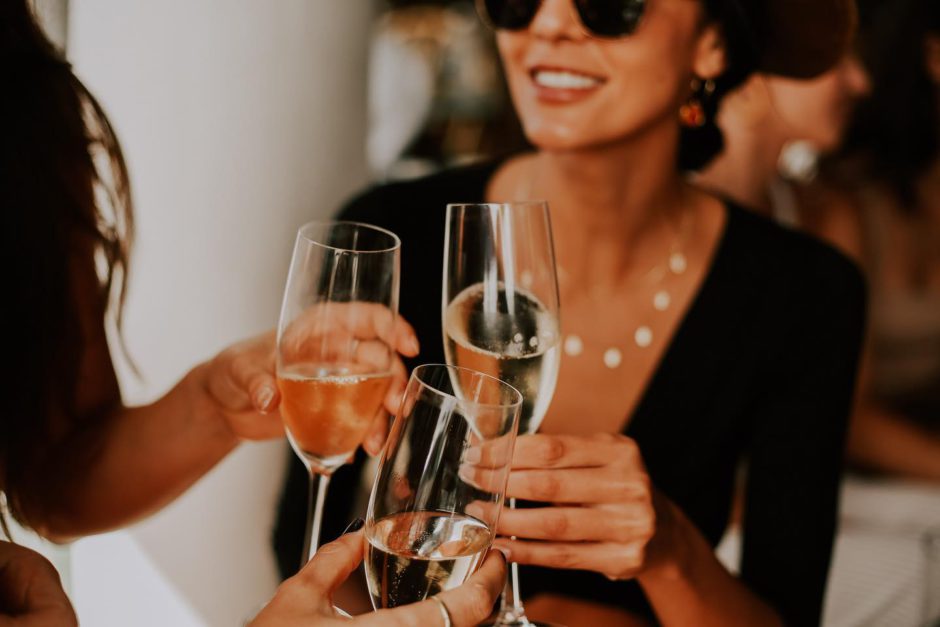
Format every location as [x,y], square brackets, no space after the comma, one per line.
[895,135]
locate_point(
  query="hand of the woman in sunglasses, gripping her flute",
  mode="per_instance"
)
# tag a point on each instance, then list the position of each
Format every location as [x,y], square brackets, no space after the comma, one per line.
[605,514]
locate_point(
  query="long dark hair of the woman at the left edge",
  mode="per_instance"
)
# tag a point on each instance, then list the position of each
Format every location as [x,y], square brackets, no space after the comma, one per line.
[66,197]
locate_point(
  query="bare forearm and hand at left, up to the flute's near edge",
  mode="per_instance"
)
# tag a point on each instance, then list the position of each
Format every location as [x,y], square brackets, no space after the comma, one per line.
[111,468]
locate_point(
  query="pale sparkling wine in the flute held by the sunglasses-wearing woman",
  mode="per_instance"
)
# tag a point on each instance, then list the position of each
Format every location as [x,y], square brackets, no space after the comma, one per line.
[508,335]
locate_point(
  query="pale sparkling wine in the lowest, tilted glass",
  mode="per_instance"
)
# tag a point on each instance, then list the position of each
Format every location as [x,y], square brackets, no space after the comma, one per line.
[415,555]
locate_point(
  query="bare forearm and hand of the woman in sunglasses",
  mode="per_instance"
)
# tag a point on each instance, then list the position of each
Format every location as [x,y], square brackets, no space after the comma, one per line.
[609,519]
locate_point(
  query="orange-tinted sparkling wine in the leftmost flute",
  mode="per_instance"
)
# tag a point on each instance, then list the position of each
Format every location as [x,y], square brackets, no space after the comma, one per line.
[328,409]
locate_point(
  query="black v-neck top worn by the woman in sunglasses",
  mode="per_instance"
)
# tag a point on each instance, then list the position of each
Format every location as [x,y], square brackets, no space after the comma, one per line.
[760,371]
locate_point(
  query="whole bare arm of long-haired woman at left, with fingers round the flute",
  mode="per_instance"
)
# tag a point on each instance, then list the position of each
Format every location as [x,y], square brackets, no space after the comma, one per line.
[106,465]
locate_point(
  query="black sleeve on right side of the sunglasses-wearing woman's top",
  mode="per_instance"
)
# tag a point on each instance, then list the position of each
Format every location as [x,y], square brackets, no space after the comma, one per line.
[798,441]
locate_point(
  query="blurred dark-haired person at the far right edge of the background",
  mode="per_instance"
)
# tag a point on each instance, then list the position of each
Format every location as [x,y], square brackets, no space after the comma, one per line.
[879,200]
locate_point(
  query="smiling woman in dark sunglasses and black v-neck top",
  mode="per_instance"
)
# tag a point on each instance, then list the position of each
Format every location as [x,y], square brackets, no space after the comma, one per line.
[696,335]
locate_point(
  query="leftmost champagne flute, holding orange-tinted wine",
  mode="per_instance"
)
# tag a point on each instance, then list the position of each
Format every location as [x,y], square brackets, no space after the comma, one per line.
[335,350]
